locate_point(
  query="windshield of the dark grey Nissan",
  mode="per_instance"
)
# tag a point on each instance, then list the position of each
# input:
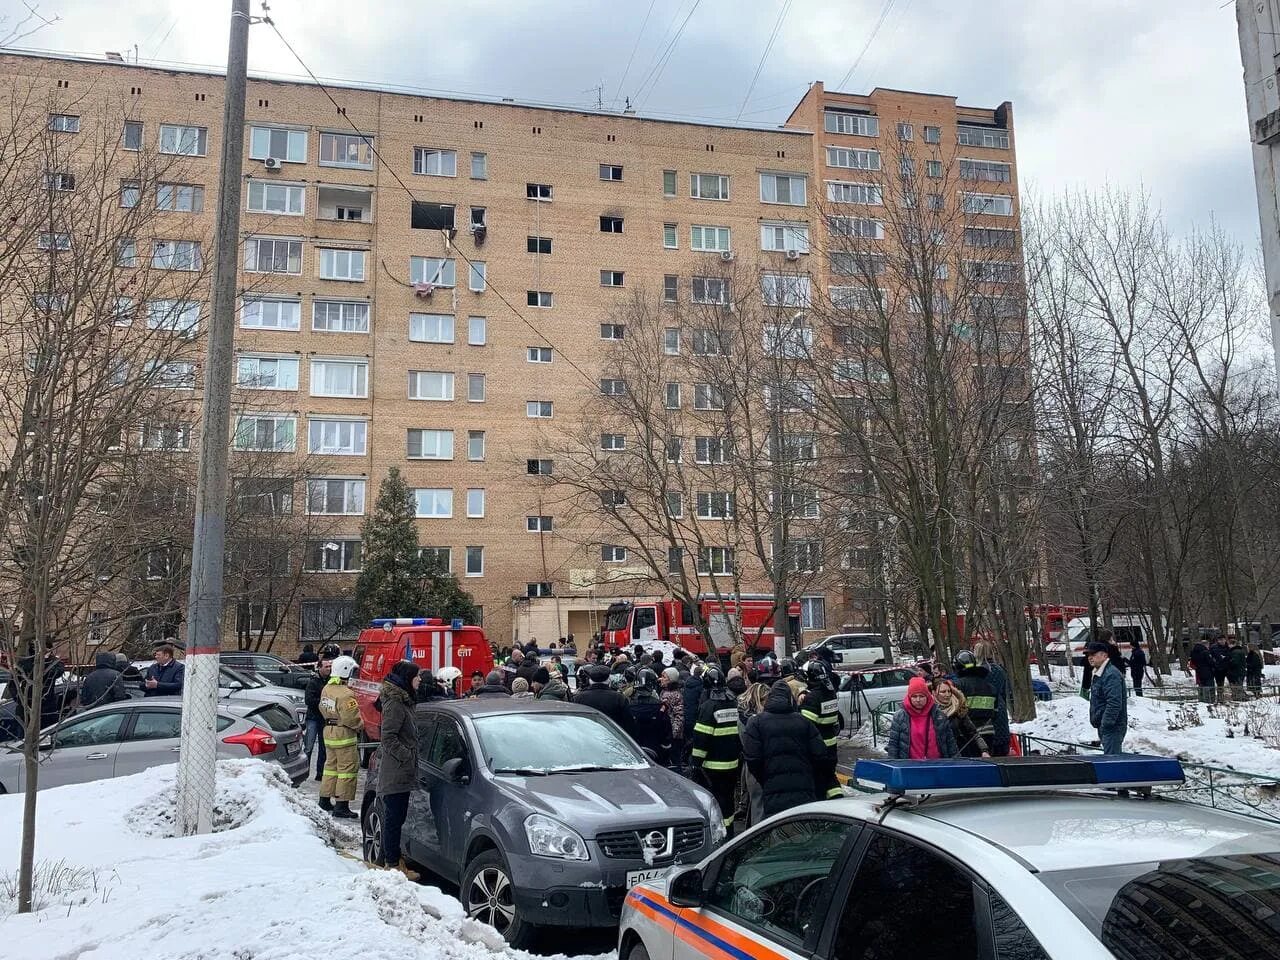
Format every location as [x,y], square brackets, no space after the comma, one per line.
[554,743]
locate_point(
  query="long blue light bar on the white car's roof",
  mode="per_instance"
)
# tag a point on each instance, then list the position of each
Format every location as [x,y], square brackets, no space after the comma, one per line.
[1017,774]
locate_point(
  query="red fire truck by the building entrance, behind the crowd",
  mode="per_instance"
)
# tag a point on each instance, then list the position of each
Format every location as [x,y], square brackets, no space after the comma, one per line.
[732,620]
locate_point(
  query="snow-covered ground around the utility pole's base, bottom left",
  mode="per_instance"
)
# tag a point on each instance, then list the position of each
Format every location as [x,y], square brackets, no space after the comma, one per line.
[268,885]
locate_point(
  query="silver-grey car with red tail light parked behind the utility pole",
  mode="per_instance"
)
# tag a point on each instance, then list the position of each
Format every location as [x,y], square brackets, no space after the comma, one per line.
[135,735]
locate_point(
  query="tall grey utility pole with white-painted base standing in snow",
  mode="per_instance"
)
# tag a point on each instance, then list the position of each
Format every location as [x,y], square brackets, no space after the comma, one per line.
[199,756]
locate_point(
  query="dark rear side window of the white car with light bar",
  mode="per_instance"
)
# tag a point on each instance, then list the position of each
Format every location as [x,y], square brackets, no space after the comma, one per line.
[916,893]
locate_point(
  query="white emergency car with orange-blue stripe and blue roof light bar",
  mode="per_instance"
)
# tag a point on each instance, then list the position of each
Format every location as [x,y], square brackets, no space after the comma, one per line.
[1007,860]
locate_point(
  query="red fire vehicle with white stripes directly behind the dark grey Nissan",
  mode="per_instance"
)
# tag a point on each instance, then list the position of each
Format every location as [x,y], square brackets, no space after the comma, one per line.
[429,642]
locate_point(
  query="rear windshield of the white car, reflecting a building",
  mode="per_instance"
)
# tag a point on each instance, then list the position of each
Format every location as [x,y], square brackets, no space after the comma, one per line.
[1213,908]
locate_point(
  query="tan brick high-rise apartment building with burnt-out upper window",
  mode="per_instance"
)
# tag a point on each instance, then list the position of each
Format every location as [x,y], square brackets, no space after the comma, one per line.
[426,285]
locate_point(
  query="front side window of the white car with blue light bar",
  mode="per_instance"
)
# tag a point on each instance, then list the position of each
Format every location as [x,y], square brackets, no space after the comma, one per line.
[775,867]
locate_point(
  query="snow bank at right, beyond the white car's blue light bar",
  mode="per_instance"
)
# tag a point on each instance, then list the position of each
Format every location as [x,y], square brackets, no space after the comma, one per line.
[1219,735]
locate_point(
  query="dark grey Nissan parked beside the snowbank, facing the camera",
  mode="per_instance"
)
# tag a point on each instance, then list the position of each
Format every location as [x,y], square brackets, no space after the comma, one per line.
[543,813]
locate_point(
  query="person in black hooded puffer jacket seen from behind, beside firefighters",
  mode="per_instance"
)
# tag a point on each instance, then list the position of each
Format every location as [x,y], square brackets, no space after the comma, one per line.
[784,752]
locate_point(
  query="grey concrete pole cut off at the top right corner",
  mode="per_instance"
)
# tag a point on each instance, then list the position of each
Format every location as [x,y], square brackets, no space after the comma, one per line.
[1259,22]
